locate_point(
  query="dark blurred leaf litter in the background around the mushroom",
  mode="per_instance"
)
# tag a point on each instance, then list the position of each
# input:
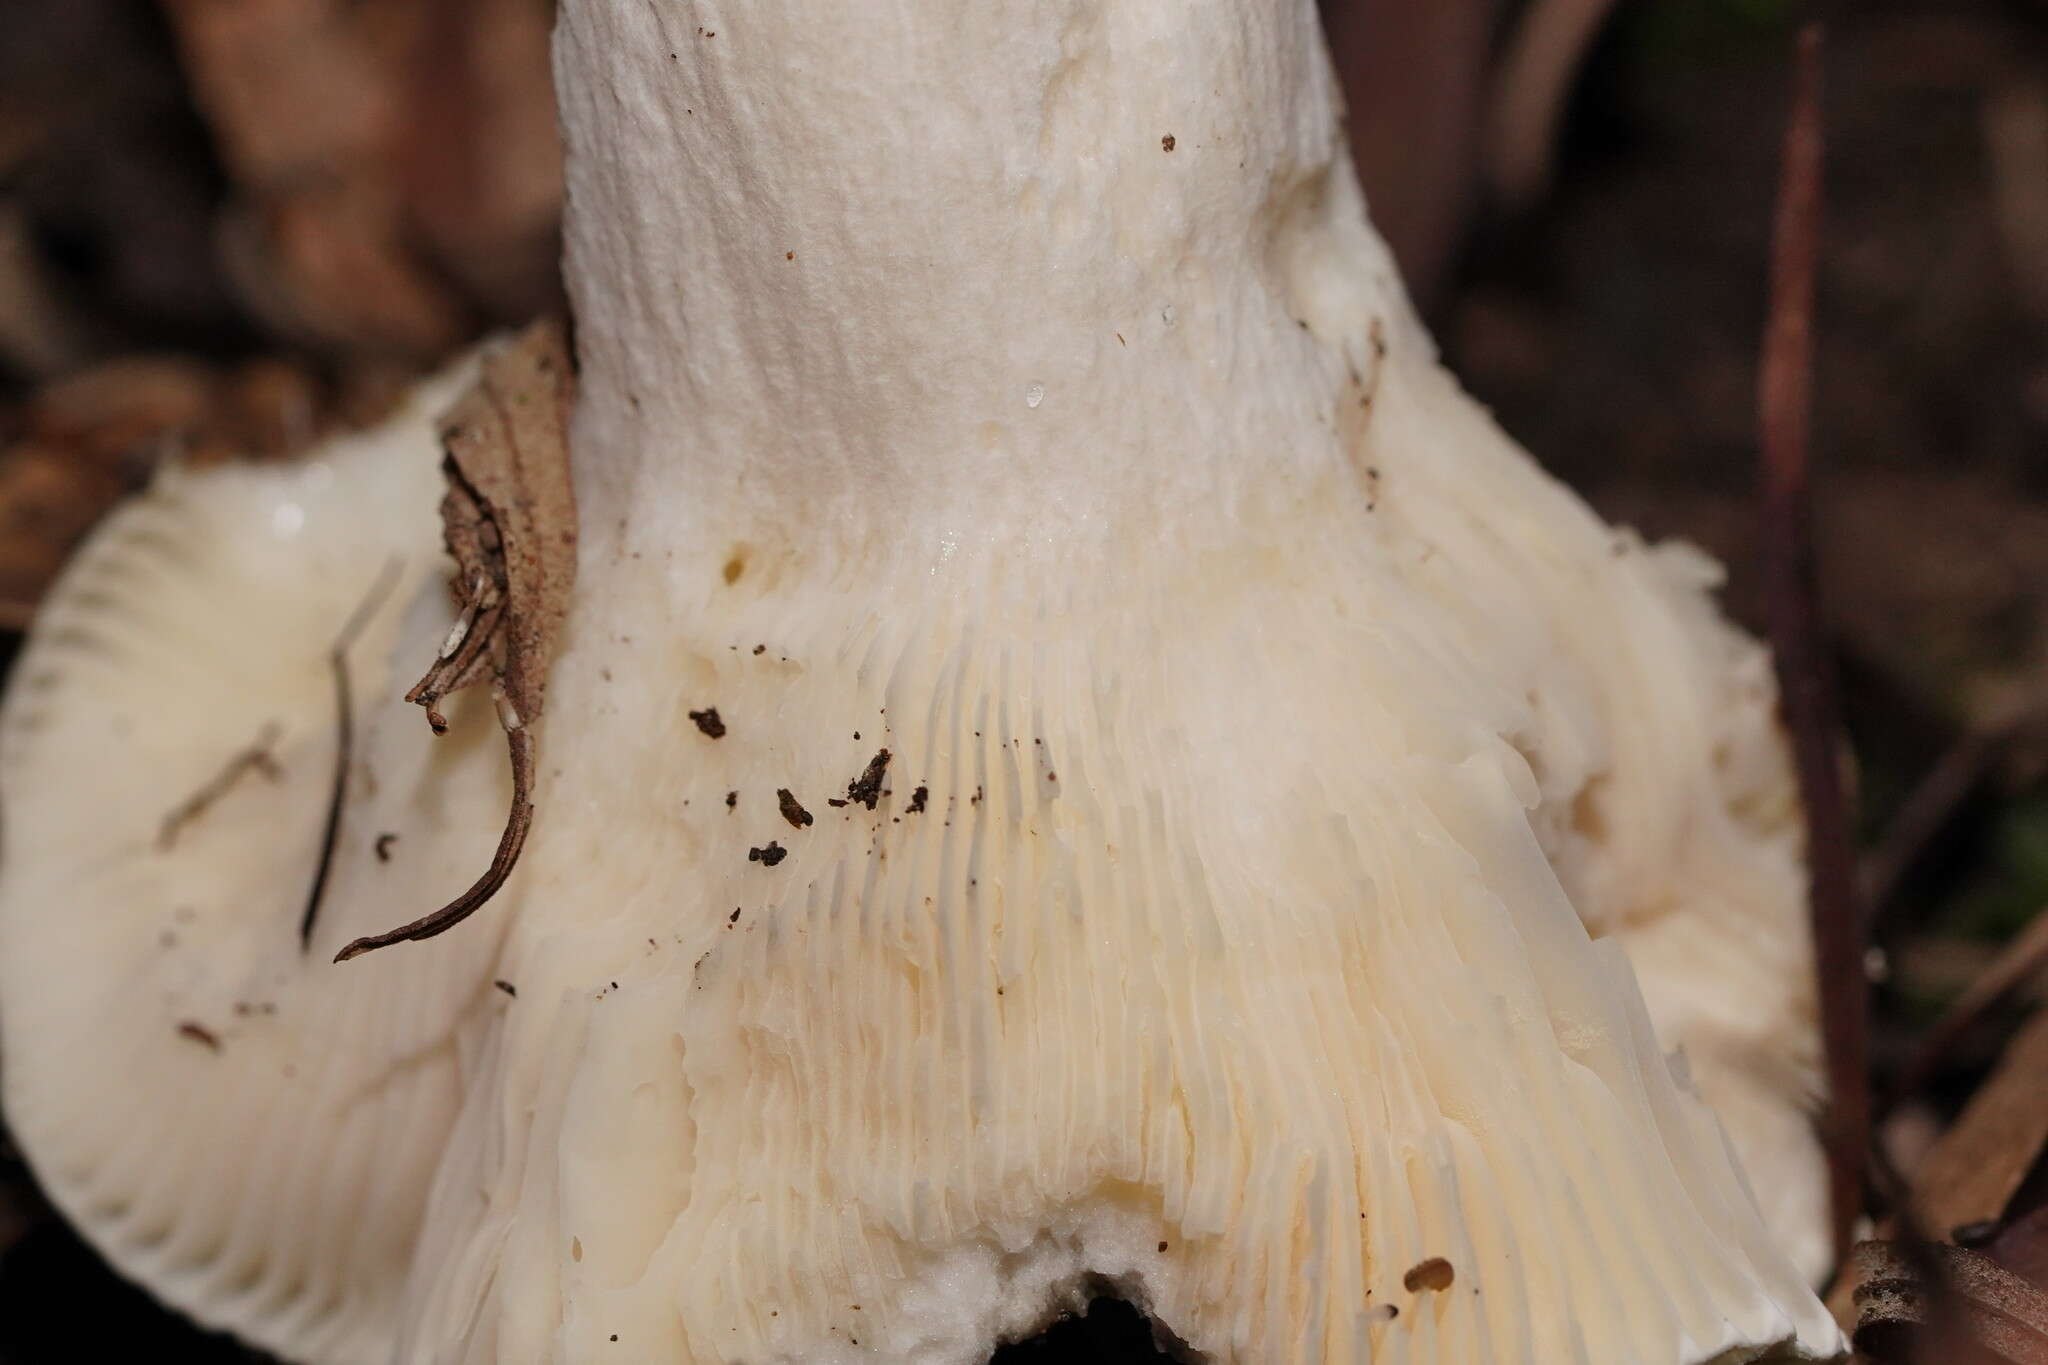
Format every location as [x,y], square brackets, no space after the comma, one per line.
[228,228]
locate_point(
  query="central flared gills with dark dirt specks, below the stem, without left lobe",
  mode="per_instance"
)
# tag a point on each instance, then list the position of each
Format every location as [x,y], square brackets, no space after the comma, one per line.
[1199,942]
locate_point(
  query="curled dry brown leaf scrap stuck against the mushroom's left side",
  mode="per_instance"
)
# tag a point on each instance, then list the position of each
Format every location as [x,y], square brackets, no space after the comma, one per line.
[509,521]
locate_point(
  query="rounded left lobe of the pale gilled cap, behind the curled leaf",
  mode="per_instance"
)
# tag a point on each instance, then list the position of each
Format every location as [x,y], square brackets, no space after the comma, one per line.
[224,1114]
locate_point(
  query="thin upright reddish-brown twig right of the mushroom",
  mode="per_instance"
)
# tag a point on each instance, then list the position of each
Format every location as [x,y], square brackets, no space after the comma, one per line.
[1805,674]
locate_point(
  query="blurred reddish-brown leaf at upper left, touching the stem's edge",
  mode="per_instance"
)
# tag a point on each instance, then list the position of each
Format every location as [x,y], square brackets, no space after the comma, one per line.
[394,163]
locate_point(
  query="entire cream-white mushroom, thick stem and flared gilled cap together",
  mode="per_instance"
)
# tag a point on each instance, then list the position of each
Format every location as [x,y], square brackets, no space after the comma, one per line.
[1244,791]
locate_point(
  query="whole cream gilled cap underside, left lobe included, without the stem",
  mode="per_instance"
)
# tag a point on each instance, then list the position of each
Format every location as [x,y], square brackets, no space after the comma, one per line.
[1138,881]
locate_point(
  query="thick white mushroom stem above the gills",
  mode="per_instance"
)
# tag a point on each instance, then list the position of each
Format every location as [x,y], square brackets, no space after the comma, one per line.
[931,281]
